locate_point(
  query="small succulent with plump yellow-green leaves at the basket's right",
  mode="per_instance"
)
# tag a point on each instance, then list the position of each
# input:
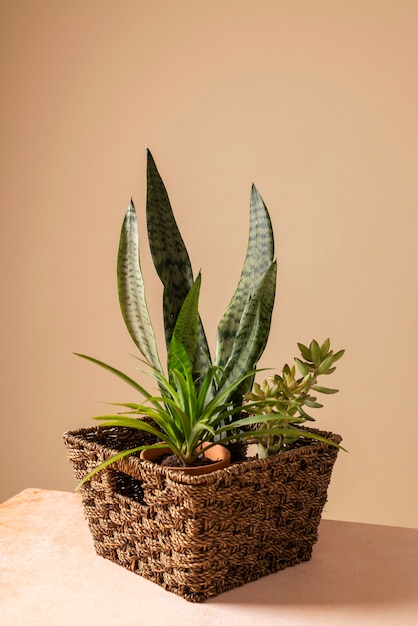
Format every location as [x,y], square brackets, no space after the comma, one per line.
[280,401]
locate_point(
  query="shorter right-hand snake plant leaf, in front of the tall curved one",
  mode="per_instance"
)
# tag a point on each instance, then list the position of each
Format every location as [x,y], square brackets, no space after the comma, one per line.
[251,337]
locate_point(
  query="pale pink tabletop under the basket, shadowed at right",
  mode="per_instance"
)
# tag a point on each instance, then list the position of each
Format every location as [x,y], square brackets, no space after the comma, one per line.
[50,575]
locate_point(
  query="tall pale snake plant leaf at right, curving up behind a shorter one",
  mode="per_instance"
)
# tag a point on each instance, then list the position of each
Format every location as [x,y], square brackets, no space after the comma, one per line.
[259,256]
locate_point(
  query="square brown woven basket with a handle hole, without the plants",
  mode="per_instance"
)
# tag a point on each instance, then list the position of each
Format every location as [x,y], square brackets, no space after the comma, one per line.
[198,536]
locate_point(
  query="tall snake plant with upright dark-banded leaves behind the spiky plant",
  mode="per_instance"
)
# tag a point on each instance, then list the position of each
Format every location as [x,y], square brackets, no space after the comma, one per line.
[245,326]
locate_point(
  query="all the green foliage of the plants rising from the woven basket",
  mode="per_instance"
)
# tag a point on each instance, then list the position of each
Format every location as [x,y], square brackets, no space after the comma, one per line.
[199,400]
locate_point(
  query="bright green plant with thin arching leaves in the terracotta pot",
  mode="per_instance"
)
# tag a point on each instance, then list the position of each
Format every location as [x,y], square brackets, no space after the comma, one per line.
[183,415]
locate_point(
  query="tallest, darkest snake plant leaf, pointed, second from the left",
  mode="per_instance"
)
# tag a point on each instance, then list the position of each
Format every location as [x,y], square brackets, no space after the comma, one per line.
[171,259]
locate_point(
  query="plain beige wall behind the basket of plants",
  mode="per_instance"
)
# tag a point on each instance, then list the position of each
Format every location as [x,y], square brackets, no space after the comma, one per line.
[314,101]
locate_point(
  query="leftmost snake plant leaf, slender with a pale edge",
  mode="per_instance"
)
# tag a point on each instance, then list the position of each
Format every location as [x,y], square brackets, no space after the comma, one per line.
[132,292]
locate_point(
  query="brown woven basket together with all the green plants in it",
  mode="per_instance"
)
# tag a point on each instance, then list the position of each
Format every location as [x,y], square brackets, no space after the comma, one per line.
[199,535]
